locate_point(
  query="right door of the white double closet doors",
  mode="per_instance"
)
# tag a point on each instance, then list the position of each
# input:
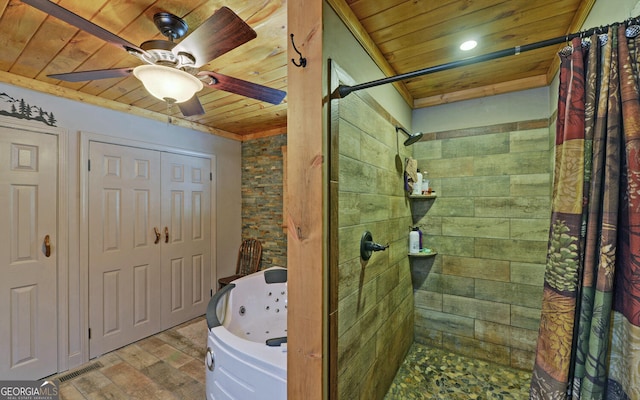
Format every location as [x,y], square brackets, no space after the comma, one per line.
[186,248]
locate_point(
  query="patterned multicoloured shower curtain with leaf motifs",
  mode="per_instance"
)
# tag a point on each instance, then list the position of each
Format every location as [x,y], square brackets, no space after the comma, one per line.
[589,339]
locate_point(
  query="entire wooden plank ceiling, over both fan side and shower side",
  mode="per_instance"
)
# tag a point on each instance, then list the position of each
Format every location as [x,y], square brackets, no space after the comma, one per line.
[401,36]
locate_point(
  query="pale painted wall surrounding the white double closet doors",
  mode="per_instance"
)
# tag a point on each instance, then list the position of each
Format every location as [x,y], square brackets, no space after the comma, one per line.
[75,117]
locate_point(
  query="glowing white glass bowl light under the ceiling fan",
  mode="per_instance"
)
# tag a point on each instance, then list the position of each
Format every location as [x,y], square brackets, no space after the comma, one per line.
[168,83]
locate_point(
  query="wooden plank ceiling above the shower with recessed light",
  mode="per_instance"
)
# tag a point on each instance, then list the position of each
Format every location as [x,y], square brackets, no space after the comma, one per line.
[406,36]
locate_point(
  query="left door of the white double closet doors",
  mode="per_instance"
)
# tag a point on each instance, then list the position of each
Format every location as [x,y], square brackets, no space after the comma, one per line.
[124,251]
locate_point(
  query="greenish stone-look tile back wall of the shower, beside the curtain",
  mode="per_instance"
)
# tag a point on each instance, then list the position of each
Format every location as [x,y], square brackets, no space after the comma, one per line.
[482,294]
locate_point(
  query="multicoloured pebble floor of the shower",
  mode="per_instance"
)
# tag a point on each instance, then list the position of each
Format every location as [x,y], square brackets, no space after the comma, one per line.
[428,373]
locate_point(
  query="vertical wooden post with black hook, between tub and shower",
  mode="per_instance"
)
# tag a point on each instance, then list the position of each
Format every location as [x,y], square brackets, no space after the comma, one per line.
[305,214]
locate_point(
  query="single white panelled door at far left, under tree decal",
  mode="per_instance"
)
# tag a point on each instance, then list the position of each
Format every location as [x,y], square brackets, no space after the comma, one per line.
[28,266]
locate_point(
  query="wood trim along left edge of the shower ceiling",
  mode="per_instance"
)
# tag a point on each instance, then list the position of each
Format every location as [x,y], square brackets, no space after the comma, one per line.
[357,30]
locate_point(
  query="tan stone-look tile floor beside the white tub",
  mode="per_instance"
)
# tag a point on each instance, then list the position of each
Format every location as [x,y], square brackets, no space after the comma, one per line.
[169,365]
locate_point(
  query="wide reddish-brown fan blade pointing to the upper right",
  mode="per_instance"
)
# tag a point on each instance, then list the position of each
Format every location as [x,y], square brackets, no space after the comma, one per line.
[220,33]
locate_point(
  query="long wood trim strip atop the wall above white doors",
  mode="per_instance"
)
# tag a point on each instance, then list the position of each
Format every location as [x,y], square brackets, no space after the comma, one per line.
[59,91]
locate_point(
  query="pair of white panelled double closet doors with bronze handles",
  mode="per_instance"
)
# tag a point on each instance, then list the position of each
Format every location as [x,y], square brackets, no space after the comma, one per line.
[149,242]
